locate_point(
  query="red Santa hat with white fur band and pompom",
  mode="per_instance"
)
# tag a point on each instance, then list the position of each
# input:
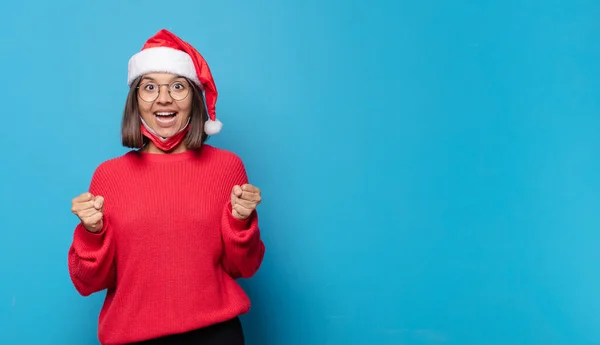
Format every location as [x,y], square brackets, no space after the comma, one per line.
[165,52]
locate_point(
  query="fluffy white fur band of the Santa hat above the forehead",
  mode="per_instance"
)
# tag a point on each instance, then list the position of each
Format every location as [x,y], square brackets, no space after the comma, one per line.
[161,59]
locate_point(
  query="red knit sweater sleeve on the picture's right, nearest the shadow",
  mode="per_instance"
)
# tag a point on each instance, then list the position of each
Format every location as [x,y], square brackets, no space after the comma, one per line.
[243,247]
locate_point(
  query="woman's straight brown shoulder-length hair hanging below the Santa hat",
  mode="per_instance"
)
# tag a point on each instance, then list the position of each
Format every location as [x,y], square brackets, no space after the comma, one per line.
[131,135]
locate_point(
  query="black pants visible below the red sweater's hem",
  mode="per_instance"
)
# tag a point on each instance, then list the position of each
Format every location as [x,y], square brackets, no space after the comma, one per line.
[224,333]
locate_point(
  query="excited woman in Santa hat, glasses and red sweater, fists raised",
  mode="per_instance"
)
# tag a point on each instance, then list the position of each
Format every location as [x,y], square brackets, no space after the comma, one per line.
[167,227]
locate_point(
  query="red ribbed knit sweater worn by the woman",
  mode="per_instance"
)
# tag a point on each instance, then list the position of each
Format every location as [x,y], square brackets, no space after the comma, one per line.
[170,248]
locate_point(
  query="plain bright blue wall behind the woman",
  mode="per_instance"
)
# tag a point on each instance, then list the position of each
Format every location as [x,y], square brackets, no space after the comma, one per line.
[429,168]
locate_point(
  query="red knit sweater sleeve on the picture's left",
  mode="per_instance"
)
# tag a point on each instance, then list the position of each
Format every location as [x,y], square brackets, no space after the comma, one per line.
[91,255]
